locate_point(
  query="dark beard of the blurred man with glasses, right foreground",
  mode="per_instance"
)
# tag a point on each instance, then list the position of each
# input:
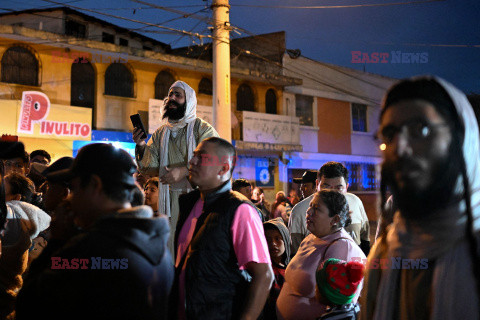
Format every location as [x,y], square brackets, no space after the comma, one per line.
[417,202]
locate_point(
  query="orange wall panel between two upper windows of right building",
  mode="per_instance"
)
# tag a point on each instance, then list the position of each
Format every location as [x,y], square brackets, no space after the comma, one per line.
[334,123]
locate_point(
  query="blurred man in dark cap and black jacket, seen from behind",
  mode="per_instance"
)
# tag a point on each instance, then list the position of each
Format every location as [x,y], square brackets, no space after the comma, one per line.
[105,259]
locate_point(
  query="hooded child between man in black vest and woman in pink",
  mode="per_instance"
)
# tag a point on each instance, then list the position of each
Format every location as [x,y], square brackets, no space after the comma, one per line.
[278,240]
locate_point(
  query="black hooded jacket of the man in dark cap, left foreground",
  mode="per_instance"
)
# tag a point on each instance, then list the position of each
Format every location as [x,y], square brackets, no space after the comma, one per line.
[129,272]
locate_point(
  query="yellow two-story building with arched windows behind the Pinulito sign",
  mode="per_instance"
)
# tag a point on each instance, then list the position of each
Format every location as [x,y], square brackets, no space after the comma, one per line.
[101,73]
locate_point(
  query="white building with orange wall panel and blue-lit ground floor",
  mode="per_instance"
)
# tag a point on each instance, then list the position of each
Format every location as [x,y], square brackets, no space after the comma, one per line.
[339,109]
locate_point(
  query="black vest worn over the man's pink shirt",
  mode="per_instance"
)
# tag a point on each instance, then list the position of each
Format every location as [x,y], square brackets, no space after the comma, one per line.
[215,288]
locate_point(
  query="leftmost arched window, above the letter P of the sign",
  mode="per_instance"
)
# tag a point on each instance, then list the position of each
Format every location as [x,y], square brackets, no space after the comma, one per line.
[20,66]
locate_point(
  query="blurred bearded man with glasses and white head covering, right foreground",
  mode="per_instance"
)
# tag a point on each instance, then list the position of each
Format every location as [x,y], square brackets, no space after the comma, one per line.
[431,163]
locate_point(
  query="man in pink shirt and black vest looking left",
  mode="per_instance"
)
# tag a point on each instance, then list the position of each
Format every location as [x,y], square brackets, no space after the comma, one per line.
[223,268]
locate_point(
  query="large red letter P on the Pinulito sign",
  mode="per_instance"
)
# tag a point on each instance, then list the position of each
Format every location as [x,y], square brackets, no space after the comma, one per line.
[35,107]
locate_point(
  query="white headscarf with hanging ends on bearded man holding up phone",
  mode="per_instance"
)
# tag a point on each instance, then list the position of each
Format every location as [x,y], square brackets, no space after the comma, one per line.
[173,126]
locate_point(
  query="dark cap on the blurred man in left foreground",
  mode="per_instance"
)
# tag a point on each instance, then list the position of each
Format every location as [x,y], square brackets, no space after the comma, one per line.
[108,162]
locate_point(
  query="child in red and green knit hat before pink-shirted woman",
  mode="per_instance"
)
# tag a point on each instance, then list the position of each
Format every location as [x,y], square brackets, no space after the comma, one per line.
[337,283]
